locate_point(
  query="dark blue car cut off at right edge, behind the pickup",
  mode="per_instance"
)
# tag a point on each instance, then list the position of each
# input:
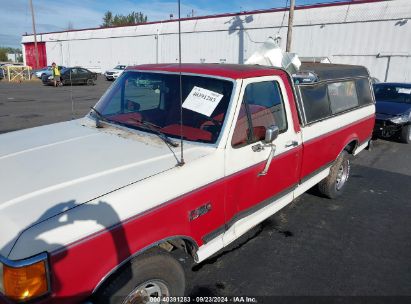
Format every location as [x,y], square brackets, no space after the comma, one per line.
[393,110]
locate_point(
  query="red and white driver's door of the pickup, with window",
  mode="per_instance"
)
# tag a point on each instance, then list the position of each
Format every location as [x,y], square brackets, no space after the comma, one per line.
[251,195]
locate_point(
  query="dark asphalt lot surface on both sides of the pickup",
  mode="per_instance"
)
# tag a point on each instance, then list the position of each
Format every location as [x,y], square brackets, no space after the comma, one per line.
[357,245]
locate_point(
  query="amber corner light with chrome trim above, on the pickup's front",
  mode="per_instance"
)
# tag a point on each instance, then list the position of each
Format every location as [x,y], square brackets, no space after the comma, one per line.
[25,279]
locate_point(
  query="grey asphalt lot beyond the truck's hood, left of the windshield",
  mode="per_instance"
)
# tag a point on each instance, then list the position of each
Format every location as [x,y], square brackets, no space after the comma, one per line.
[32,104]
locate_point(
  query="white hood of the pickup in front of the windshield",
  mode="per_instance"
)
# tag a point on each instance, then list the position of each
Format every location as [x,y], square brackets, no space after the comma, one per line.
[46,166]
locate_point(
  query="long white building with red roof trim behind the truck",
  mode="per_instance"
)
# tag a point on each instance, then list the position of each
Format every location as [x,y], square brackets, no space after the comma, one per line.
[373,33]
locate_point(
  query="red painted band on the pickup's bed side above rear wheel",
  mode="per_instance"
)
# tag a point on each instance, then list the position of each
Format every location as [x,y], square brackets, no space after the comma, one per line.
[325,149]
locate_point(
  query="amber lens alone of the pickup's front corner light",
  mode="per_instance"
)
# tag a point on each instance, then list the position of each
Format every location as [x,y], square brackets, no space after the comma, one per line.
[25,283]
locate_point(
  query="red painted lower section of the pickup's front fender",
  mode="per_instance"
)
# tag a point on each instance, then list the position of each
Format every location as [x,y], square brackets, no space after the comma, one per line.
[79,267]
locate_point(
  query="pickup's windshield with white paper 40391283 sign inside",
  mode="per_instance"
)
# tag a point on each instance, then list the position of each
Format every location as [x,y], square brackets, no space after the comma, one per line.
[140,98]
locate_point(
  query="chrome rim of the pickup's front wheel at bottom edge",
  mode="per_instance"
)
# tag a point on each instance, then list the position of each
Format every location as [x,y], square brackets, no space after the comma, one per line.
[148,292]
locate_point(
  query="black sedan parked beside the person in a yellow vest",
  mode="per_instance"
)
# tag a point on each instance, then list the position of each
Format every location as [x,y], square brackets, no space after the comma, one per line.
[76,75]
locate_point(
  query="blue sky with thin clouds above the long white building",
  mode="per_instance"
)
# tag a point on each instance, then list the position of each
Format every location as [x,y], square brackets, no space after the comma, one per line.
[57,15]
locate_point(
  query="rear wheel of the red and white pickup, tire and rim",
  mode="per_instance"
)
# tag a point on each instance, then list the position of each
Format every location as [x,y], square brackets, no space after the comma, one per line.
[334,184]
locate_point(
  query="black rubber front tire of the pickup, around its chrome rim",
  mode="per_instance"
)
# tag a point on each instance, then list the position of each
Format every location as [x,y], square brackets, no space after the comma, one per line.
[156,266]
